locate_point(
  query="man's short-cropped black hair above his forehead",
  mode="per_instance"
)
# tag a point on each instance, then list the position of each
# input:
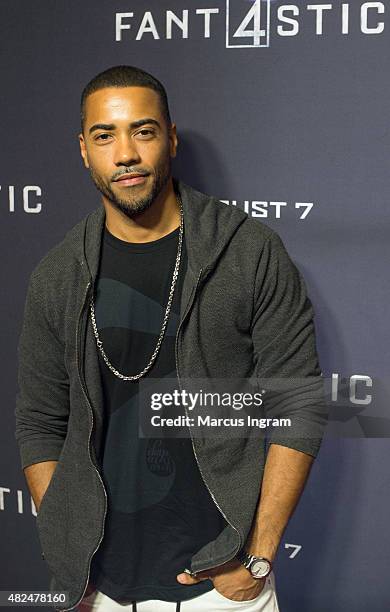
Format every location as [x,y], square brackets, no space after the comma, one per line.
[125,76]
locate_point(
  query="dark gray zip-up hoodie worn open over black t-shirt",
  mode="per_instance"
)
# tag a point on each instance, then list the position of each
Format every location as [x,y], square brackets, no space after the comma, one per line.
[244,314]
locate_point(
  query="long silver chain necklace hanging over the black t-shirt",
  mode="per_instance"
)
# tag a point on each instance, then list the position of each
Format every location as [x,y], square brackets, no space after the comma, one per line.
[166,315]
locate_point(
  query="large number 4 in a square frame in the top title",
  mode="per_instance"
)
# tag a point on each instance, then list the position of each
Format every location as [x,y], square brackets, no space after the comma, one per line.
[250,25]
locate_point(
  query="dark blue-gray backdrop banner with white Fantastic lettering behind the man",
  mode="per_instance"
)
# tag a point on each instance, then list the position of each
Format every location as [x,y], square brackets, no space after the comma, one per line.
[282,110]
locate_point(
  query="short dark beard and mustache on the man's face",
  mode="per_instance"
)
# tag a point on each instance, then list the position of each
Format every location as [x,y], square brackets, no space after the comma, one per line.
[133,205]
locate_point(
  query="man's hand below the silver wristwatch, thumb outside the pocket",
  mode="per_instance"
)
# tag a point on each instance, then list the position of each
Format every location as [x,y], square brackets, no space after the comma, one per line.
[232,580]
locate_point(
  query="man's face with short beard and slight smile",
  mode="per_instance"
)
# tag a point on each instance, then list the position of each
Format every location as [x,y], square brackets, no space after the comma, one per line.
[126,135]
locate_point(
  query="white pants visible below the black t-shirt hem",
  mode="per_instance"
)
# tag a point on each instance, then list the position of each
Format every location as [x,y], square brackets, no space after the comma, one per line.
[212,601]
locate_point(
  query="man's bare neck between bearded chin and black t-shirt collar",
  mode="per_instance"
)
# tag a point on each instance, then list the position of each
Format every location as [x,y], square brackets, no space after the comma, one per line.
[161,218]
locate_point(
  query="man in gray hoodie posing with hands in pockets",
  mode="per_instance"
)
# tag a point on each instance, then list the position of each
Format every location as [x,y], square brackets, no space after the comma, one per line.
[161,281]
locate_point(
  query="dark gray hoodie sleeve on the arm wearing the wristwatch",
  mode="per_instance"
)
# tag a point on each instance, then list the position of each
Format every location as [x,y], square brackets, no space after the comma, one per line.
[287,366]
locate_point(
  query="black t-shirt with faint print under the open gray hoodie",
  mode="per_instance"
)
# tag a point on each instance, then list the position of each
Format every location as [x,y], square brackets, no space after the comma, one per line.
[159,512]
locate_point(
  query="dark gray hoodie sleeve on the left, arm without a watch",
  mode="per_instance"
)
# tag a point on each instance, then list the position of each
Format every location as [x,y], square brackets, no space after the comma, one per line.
[42,400]
